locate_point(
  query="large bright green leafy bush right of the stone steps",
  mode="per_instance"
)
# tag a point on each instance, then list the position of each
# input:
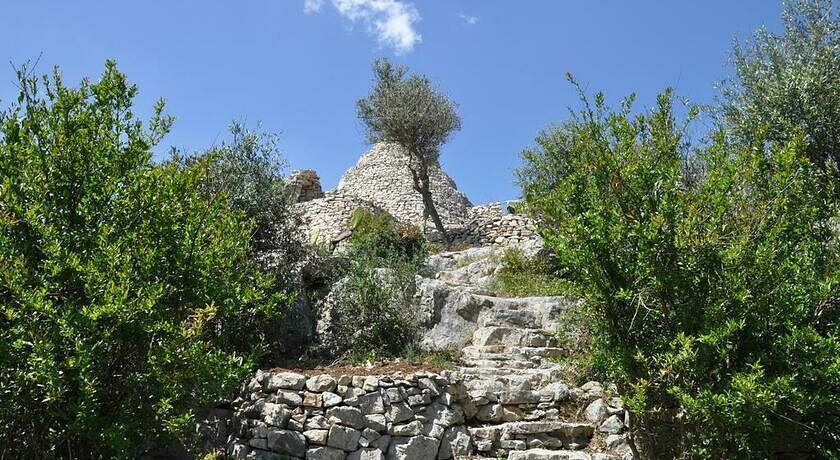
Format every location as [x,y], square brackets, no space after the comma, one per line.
[714,307]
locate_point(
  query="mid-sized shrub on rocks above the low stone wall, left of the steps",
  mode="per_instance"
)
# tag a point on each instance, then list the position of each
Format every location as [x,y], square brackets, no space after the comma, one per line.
[374,313]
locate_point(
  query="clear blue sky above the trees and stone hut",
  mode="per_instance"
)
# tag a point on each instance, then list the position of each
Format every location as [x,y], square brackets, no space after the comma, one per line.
[298,66]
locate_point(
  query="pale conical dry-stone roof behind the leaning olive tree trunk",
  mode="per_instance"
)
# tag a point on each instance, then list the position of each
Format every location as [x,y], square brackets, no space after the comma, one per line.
[381,176]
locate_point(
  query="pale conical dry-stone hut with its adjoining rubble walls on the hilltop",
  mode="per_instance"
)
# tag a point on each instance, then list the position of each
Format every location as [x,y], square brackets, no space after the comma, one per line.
[381,181]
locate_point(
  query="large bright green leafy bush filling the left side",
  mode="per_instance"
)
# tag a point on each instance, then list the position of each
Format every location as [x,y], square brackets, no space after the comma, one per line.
[128,297]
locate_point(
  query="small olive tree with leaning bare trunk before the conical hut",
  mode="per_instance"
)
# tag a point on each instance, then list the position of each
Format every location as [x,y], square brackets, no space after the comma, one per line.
[408,110]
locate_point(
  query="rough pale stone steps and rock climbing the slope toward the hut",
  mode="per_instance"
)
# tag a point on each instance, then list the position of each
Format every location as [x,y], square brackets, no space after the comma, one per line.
[521,408]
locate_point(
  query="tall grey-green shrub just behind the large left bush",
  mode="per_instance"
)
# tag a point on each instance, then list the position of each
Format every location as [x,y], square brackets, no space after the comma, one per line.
[248,171]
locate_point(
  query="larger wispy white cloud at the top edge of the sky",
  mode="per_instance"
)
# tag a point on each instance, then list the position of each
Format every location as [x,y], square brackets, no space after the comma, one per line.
[390,21]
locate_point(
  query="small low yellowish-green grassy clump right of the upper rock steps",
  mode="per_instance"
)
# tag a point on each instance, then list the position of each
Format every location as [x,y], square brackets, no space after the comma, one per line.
[520,276]
